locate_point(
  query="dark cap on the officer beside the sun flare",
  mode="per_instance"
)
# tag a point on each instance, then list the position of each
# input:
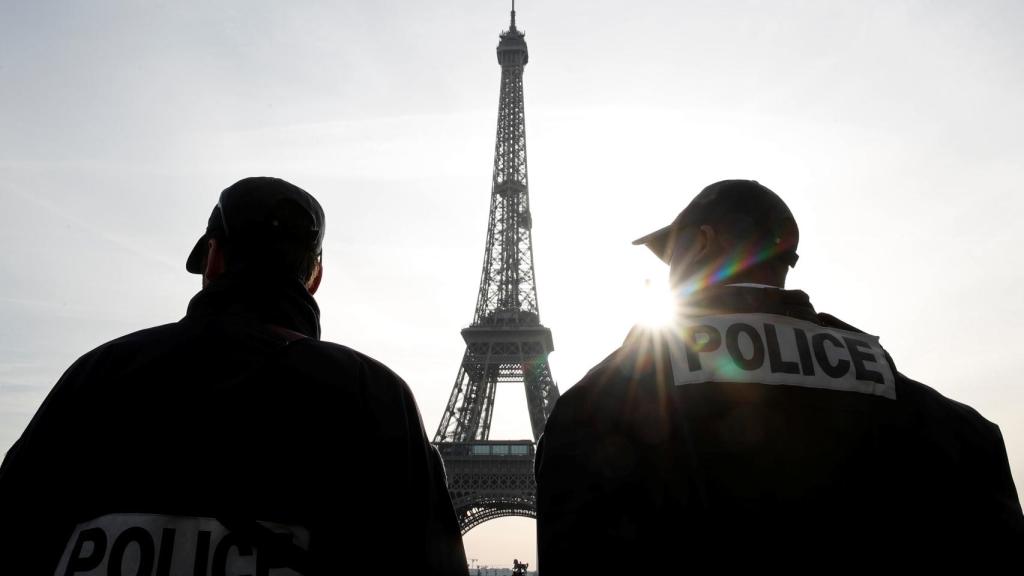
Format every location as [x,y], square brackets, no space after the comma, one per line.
[722,200]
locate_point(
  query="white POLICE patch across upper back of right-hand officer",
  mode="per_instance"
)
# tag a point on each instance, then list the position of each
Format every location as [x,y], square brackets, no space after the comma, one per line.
[779,350]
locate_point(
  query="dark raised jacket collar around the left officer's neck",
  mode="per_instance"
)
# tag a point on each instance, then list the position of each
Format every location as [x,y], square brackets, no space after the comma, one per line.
[270,300]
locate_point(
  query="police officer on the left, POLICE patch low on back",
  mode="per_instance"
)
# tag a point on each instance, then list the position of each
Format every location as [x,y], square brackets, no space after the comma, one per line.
[234,441]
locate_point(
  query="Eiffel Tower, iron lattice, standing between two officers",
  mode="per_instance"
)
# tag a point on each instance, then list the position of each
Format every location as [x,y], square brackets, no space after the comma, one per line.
[506,343]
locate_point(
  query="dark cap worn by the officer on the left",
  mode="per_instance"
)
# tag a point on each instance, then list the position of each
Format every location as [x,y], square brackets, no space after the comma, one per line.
[253,214]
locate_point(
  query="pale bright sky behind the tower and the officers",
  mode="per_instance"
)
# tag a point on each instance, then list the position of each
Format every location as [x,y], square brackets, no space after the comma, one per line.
[891,129]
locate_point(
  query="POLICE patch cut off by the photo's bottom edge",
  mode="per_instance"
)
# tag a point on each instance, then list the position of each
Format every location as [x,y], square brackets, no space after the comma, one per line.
[167,546]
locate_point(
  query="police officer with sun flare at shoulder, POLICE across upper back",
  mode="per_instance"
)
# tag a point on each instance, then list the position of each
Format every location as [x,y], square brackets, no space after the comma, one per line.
[758,431]
